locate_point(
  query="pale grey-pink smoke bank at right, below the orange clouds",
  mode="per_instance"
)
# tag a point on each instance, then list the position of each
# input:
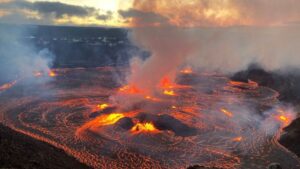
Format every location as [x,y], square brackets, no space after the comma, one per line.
[232,49]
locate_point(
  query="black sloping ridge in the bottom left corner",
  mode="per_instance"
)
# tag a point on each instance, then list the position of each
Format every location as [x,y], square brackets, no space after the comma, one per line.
[23,152]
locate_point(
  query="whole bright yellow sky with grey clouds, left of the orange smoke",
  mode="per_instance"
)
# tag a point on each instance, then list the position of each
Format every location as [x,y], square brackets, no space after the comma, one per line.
[65,12]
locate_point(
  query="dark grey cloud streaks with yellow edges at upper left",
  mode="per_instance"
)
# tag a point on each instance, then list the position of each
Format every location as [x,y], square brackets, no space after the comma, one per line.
[41,12]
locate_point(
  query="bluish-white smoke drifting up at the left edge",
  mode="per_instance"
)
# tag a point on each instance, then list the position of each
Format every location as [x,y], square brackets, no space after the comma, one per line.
[18,57]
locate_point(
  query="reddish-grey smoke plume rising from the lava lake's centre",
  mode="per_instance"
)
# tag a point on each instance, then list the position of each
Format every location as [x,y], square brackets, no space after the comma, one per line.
[169,47]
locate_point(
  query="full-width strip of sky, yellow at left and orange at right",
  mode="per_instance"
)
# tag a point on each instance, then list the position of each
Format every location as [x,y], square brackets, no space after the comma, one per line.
[139,13]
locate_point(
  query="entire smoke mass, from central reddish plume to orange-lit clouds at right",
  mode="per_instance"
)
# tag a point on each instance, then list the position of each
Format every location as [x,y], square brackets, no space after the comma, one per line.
[218,35]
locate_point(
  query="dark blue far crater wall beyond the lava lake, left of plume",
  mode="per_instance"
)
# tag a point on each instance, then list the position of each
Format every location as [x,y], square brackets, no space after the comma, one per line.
[80,46]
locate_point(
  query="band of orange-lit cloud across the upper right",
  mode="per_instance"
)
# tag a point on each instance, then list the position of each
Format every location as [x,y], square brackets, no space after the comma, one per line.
[199,13]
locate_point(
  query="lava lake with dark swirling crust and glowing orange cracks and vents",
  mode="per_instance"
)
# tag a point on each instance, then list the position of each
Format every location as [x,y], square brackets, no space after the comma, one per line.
[213,122]
